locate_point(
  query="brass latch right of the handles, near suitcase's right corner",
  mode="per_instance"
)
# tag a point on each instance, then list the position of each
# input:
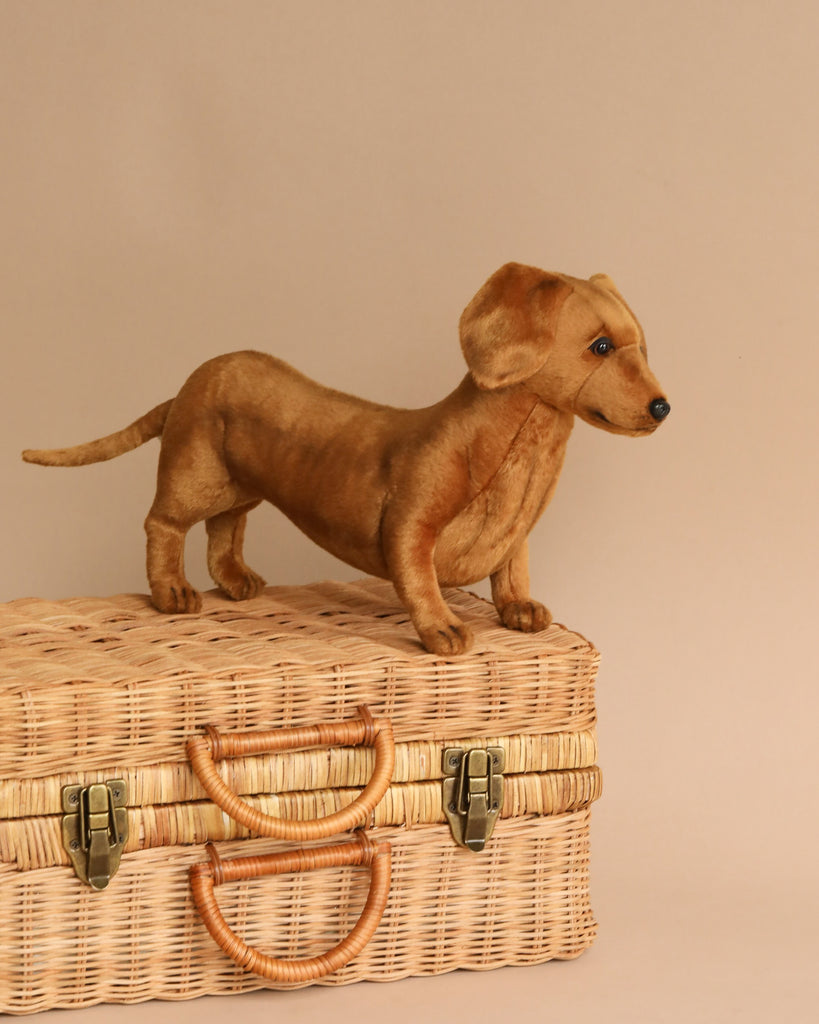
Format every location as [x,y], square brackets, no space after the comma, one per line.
[473,793]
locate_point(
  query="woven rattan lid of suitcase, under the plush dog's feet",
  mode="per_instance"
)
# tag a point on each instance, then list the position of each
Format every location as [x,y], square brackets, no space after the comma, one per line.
[94,682]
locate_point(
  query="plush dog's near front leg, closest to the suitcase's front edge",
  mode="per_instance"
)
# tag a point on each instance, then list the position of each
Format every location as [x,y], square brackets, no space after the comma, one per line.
[409,551]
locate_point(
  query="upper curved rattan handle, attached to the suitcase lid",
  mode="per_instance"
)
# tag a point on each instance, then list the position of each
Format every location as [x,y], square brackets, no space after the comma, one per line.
[204,751]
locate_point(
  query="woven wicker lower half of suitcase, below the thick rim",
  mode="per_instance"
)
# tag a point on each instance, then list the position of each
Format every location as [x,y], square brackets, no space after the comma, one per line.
[525,901]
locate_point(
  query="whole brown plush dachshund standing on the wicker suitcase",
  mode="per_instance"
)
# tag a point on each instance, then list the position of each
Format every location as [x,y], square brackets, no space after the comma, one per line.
[426,498]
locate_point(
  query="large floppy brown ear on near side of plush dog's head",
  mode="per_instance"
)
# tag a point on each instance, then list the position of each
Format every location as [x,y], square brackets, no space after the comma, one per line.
[507,329]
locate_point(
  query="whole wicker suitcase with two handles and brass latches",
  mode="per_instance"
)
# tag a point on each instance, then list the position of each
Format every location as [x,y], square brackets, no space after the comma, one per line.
[169,784]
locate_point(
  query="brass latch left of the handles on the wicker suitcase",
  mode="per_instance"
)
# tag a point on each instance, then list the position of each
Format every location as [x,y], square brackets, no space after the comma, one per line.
[96,829]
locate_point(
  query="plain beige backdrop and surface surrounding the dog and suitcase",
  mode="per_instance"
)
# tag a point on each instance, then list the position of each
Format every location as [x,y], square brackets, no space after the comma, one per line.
[332,183]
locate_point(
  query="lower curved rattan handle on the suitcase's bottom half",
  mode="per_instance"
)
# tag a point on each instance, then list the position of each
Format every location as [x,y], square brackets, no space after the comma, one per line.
[205,877]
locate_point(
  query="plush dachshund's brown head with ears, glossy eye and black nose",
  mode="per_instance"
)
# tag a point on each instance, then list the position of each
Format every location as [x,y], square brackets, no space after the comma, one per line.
[575,344]
